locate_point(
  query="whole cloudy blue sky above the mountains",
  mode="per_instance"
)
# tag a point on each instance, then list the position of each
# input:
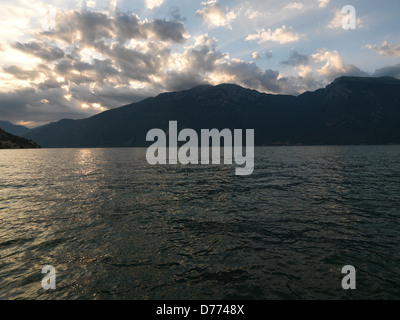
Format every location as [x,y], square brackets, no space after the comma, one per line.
[74,59]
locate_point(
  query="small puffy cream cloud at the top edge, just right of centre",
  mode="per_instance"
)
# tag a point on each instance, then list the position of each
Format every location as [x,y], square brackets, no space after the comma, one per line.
[215,15]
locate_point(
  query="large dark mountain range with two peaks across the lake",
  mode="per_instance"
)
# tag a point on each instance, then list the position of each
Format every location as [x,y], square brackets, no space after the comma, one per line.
[351,110]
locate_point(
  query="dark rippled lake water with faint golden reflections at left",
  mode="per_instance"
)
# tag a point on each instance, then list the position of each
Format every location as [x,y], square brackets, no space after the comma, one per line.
[115,227]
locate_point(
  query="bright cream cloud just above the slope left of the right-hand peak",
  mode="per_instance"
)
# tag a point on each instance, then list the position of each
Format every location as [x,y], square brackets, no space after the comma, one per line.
[334,65]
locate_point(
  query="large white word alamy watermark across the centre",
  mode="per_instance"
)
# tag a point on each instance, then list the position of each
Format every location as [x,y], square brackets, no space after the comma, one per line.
[189,152]
